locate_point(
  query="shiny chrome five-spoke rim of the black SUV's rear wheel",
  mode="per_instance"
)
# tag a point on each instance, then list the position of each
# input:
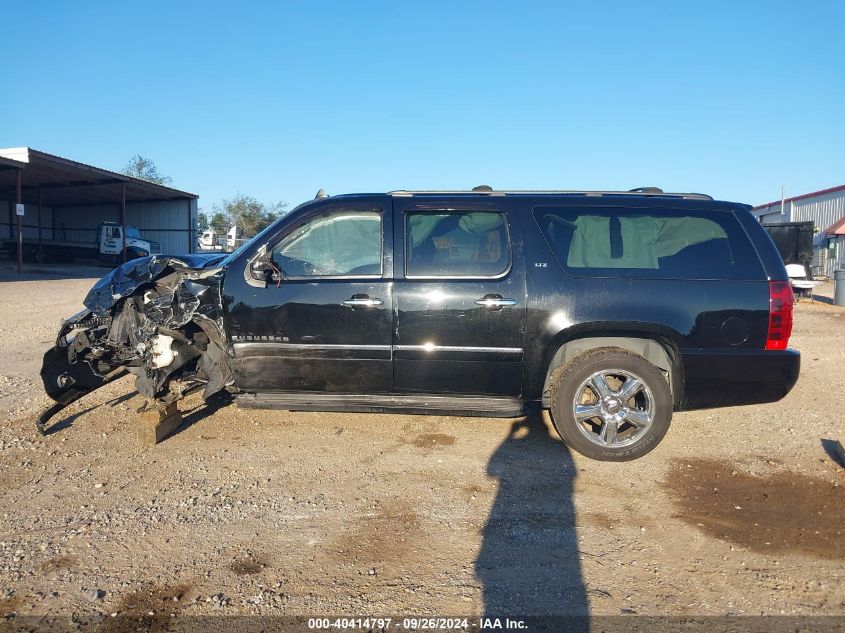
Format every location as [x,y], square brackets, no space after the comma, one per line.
[613,408]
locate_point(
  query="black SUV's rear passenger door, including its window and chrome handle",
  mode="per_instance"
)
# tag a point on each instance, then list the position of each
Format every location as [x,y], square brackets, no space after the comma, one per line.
[459,297]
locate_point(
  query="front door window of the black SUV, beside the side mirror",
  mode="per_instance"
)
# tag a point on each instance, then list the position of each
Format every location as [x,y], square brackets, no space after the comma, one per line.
[339,243]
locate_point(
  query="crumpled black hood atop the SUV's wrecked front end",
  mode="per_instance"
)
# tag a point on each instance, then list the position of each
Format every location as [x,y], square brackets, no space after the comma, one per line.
[126,278]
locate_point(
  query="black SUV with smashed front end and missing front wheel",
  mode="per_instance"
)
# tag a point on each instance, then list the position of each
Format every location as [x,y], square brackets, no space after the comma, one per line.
[612,309]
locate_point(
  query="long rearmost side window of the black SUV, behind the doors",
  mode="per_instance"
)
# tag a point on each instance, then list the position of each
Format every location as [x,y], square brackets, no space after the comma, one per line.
[659,243]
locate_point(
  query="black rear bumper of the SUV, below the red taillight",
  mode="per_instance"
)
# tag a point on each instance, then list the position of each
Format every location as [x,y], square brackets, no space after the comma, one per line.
[727,378]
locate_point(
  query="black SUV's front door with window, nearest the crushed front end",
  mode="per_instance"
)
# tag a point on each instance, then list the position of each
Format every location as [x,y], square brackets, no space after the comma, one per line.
[325,325]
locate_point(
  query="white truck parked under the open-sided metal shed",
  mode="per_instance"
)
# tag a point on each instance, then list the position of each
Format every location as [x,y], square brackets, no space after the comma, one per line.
[108,248]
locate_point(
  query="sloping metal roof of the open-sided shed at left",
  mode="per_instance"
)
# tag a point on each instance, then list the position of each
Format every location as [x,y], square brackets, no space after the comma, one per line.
[68,183]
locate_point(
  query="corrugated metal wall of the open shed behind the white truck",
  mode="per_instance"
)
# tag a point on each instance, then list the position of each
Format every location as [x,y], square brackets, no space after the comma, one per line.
[171,223]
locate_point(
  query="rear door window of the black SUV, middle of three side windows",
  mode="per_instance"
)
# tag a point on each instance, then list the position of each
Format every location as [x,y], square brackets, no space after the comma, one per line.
[456,244]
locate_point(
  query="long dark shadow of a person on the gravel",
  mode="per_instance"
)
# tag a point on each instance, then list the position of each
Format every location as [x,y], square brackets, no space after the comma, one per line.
[529,562]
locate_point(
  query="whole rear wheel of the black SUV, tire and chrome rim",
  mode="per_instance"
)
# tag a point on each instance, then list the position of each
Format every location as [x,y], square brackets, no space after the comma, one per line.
[610,404]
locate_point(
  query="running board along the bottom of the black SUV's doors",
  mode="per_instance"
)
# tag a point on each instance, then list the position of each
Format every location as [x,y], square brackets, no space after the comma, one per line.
[471,406]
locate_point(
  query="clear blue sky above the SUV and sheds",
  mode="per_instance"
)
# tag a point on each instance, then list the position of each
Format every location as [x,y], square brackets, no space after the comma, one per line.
[277,100]
